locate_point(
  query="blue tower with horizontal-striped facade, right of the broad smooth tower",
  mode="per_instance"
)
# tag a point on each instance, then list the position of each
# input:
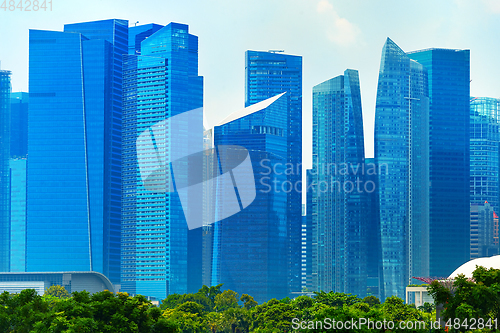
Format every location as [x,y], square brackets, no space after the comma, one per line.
[160,256]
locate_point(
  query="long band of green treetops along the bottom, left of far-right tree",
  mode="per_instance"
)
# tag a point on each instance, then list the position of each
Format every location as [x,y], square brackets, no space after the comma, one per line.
[209,310]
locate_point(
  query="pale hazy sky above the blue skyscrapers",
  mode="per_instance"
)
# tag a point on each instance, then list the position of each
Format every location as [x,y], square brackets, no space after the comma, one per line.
[330,35]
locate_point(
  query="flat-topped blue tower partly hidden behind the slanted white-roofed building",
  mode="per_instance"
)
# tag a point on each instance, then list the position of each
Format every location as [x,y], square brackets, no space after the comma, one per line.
[266,75]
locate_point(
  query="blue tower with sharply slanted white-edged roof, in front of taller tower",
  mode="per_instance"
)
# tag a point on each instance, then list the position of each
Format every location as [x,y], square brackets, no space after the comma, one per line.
[249,247]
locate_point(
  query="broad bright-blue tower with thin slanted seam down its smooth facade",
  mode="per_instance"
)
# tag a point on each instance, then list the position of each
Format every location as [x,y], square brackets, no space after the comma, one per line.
[74,145]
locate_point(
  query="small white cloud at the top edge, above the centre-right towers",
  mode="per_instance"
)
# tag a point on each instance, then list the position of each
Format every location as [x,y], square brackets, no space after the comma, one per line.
[339,30]
